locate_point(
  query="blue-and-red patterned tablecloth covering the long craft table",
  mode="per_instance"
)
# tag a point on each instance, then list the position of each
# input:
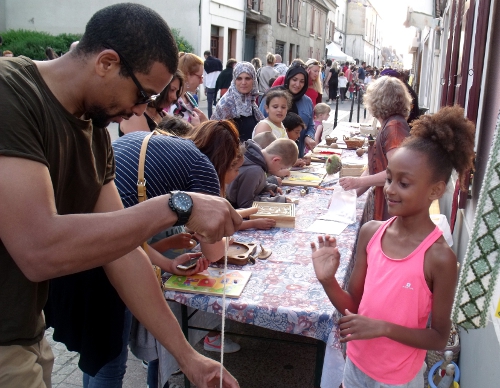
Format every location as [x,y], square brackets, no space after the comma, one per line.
[283,293]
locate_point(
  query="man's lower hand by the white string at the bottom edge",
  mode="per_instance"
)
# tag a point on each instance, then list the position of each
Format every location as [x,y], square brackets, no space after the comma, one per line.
[205,373]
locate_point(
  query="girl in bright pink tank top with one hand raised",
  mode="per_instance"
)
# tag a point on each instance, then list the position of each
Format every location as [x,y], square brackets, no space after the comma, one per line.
[404,269]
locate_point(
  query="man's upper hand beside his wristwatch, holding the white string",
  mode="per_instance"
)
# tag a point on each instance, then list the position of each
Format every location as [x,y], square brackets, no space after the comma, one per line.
[212,218]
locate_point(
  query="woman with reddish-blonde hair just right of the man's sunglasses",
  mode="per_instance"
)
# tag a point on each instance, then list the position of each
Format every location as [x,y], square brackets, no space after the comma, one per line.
[191,66]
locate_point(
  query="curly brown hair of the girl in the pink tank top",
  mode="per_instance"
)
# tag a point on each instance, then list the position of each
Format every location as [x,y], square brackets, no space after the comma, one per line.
[447,139]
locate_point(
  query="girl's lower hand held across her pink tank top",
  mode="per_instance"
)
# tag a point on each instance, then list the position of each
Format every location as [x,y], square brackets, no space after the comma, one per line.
[356,327]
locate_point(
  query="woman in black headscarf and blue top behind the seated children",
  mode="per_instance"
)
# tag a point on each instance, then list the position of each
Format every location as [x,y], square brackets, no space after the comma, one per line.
[297,83]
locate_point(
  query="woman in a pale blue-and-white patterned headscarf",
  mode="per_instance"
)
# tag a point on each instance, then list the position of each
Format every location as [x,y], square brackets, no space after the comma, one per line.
[238,104]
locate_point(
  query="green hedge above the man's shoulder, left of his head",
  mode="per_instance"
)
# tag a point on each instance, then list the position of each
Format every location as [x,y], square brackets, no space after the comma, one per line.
[32,44]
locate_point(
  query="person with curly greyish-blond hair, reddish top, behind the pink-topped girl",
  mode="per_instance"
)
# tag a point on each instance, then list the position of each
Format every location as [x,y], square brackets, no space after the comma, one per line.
[388,100]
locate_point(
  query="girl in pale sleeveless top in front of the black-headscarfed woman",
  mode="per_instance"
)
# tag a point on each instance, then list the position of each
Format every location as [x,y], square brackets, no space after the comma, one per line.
[277,104]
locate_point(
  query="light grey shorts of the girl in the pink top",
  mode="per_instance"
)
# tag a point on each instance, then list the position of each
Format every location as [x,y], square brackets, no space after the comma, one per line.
[355,378]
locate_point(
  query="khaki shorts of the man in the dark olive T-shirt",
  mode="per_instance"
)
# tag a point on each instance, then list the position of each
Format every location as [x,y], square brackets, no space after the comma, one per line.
[26,366]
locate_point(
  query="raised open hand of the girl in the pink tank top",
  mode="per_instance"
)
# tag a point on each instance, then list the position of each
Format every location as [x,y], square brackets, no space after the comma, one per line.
[326,258]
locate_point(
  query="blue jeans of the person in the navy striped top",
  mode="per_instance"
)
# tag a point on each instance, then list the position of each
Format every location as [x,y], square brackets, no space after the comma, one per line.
[111,374]
